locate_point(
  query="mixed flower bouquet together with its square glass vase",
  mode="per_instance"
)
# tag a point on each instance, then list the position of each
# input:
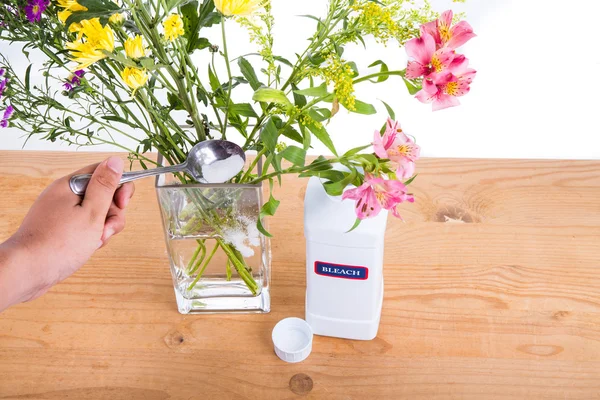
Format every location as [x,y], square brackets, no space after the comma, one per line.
[154,73]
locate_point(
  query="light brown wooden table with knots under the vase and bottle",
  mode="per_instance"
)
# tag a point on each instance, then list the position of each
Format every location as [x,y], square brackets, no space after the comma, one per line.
[492,291]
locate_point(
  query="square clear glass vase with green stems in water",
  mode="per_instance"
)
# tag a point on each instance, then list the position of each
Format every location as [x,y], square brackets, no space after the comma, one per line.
[220,262]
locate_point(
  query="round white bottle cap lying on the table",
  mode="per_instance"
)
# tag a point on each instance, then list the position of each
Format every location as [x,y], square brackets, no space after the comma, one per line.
[292,339]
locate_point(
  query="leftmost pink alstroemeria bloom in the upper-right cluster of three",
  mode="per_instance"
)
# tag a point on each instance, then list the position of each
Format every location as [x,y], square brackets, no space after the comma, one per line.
[426,59]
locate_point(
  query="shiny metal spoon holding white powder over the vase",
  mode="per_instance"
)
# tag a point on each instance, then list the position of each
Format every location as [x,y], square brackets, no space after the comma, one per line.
[202,155]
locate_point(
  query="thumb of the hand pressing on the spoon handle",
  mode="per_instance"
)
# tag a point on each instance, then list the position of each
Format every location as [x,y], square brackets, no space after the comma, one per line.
[103,184]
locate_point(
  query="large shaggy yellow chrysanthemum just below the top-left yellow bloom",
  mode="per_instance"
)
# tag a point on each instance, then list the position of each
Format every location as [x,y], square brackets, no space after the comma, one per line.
[98,39]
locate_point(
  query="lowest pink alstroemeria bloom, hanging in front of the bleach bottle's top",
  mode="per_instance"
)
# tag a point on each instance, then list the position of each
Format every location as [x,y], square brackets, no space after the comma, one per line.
[376,194]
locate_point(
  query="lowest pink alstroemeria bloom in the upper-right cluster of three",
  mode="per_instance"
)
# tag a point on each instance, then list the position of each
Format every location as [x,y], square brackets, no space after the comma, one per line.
[443,89]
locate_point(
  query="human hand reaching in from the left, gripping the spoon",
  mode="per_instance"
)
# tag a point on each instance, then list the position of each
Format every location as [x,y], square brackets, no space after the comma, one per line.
[61,232]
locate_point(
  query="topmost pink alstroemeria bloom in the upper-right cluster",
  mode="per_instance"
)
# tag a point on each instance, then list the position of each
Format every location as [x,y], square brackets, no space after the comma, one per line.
[446,35]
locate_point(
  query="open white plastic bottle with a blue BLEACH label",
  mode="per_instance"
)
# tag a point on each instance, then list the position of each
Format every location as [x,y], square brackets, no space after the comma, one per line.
[344,271]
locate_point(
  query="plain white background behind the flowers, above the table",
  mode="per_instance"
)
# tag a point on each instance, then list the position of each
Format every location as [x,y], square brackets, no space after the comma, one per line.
[536,94]
